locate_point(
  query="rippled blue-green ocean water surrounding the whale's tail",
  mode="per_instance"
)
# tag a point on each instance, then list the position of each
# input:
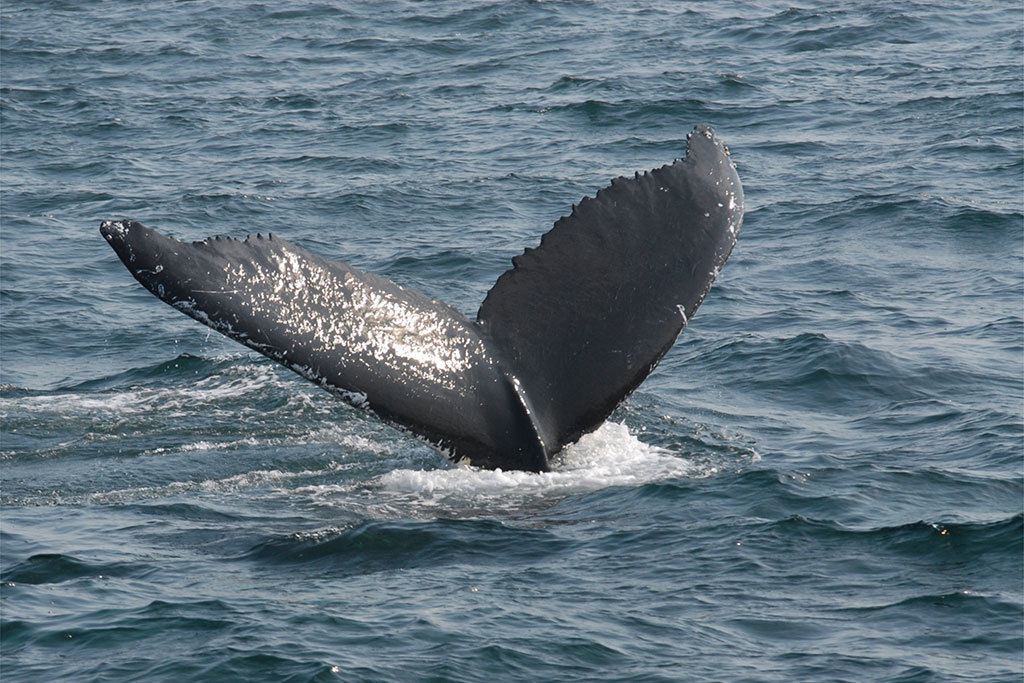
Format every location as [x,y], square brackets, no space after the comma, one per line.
[823,481]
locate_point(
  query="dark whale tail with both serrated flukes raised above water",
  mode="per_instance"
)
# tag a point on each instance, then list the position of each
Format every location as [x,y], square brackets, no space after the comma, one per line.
[561,340]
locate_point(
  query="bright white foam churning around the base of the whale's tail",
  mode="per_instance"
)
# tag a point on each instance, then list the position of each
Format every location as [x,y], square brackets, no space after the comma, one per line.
[609,457]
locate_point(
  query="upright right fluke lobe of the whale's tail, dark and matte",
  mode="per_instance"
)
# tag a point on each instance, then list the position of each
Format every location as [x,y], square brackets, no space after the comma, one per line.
[583,319]
